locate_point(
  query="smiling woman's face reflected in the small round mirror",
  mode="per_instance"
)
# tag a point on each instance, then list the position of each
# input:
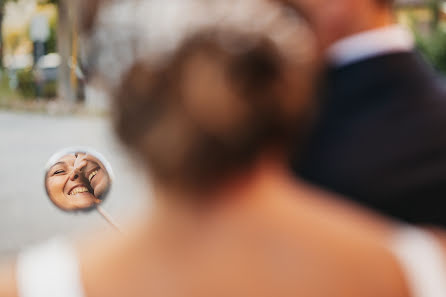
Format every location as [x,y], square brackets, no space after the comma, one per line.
[62,178]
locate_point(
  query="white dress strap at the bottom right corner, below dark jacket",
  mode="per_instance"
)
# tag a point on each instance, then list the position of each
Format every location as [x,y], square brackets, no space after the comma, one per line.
[422,260]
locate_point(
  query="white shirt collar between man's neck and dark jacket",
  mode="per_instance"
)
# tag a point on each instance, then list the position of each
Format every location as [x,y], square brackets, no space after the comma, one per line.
[370,43]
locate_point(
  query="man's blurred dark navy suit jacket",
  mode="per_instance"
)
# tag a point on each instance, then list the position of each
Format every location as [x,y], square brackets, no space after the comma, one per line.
[381,137]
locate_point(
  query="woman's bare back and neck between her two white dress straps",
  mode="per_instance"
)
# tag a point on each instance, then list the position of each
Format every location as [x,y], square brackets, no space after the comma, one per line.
[233,247]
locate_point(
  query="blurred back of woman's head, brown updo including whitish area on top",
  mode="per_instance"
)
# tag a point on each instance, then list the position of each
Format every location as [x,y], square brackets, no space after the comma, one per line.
[201,88]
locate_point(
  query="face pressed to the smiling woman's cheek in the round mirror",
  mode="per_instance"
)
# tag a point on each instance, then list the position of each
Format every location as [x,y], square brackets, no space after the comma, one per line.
[100,182]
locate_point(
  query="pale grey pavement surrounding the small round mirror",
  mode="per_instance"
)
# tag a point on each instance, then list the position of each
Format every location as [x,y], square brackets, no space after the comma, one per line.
[26,142]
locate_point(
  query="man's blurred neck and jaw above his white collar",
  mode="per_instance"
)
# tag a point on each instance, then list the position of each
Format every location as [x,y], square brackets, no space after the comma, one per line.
[337,19]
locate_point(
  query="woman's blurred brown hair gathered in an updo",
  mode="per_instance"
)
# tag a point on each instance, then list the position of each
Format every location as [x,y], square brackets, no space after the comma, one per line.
[209,110]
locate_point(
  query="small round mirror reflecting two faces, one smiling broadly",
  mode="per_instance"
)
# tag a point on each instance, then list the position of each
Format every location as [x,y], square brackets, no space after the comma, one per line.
[77,179]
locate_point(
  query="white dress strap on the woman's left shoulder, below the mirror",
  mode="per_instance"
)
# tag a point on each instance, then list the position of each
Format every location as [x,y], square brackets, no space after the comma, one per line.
[49,270]
